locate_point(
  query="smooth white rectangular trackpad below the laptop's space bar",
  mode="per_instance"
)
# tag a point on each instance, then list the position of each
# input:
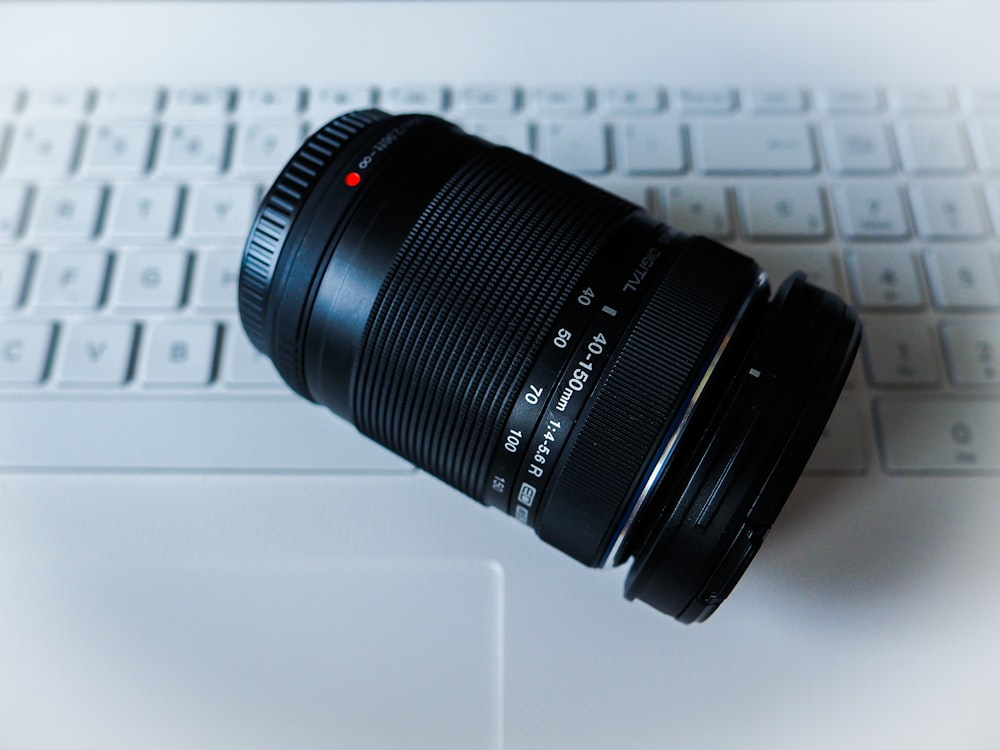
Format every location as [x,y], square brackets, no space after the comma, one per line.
[344,655]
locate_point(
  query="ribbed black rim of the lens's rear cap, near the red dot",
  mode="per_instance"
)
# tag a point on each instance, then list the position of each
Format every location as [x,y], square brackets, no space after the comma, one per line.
[276,215]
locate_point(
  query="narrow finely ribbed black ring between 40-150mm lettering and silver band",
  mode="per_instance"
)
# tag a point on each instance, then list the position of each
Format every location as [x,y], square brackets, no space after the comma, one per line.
[660,363]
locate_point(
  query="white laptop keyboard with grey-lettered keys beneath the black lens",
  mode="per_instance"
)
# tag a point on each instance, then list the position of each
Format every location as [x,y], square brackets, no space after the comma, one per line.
[122,214]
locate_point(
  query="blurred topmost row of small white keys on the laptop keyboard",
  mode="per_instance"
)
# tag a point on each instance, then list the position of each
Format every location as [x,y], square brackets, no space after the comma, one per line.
[481,100]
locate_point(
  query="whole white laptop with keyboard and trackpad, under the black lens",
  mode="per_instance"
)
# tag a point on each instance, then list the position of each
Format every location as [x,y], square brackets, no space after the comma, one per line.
[191,557]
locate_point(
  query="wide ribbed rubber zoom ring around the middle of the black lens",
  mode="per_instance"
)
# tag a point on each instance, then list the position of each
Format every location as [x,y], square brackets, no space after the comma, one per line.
[462,314]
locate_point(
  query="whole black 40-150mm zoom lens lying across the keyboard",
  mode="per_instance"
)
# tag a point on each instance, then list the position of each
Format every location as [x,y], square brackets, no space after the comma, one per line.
[545,347]
